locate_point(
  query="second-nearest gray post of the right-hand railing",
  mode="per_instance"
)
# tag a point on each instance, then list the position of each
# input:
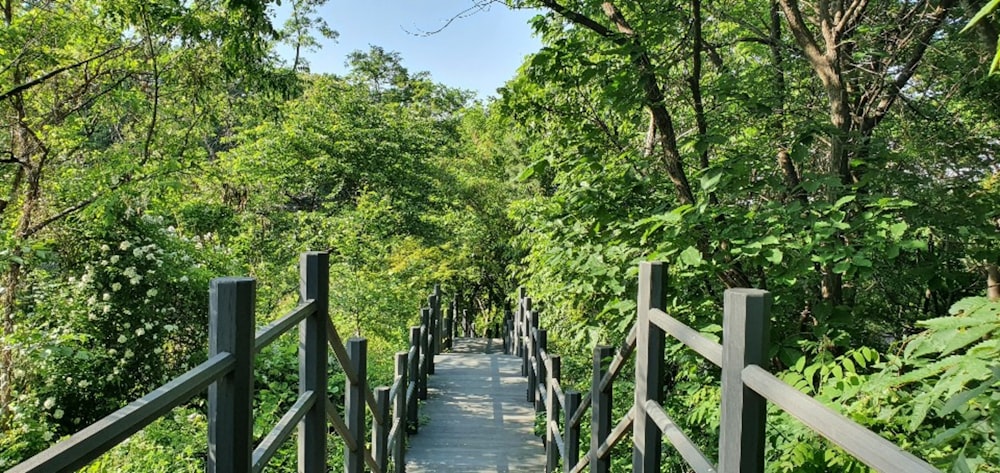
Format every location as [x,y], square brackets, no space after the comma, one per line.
[646,437]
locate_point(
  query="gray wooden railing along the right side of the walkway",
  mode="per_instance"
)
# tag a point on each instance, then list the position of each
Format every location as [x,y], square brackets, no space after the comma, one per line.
[746,389]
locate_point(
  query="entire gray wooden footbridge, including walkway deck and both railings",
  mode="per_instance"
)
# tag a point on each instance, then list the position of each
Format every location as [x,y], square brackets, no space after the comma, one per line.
[480,408]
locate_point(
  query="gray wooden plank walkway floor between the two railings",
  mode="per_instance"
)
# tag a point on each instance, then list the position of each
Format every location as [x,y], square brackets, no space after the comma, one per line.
[477,419]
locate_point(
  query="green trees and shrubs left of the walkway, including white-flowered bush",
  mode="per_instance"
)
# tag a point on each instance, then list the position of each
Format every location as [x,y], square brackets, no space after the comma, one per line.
[135,170]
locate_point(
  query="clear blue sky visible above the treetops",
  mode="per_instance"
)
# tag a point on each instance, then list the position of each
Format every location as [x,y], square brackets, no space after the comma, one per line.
[478,52]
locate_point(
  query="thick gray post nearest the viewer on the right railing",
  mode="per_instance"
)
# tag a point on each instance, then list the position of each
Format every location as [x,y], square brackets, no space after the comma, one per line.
[745,331]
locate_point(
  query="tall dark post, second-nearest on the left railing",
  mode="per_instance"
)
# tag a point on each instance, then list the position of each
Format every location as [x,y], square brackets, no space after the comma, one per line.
[314,283]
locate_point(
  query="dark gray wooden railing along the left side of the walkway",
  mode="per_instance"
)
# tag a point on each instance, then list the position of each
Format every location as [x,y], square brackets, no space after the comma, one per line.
[228,377]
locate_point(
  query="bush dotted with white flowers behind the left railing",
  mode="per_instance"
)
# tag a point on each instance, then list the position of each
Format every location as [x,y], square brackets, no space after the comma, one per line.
[120,316]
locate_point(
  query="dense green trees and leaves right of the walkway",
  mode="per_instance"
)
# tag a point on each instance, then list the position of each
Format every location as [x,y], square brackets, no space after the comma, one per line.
[842,155]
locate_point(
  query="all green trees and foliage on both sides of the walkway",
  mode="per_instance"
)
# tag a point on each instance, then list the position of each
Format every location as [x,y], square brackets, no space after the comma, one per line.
[842,155]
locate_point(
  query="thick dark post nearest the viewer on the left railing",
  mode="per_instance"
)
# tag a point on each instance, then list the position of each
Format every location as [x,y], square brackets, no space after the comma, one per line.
[231,328]
